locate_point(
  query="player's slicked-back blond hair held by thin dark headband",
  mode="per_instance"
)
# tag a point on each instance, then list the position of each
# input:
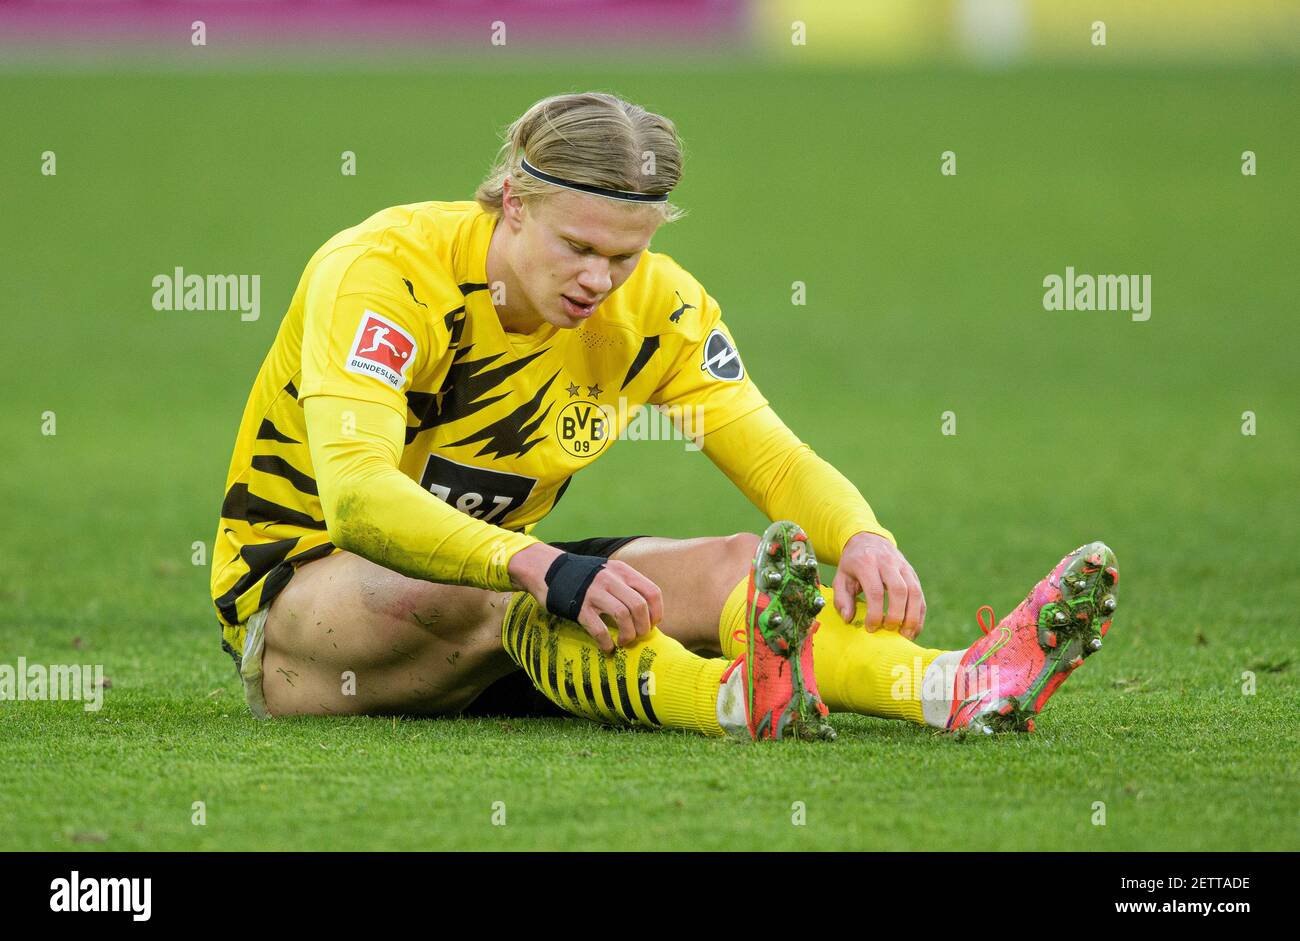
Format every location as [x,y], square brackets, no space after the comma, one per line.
[590,138]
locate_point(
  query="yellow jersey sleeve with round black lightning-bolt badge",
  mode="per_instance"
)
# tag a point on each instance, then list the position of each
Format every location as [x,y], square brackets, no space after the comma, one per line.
[707,378]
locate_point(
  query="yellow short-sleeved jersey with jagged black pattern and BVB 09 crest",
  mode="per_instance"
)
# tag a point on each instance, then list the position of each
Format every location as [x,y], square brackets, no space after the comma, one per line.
[397,311]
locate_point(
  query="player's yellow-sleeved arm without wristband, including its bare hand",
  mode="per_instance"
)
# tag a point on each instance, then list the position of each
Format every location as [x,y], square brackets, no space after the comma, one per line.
[783,478]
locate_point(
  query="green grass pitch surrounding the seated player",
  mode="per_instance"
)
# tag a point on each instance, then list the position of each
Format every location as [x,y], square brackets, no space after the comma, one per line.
[925,294]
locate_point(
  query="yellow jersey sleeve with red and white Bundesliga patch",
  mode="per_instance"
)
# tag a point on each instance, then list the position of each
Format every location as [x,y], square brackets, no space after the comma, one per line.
[362,340]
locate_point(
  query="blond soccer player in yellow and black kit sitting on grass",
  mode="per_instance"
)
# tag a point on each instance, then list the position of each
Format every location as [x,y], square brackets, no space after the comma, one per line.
[445,370]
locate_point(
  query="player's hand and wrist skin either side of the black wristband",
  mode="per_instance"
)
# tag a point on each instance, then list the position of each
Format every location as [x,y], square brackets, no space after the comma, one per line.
[619,597]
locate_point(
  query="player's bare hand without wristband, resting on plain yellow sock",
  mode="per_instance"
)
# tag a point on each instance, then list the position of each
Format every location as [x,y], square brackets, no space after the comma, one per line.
[873,566]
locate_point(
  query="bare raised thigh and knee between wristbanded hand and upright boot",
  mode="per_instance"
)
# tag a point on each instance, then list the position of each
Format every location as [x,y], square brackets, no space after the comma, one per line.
[696,578]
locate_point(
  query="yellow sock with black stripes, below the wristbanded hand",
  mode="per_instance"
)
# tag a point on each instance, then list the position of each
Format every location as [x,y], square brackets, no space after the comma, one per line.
[656,683]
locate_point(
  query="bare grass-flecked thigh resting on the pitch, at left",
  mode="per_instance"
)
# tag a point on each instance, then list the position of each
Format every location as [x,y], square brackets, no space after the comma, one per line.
[350,636]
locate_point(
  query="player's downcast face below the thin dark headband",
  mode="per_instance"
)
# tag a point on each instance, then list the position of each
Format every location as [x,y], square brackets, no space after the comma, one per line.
[578,250]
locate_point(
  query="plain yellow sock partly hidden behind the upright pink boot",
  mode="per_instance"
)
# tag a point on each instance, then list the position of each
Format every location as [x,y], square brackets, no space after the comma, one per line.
[877,674]
